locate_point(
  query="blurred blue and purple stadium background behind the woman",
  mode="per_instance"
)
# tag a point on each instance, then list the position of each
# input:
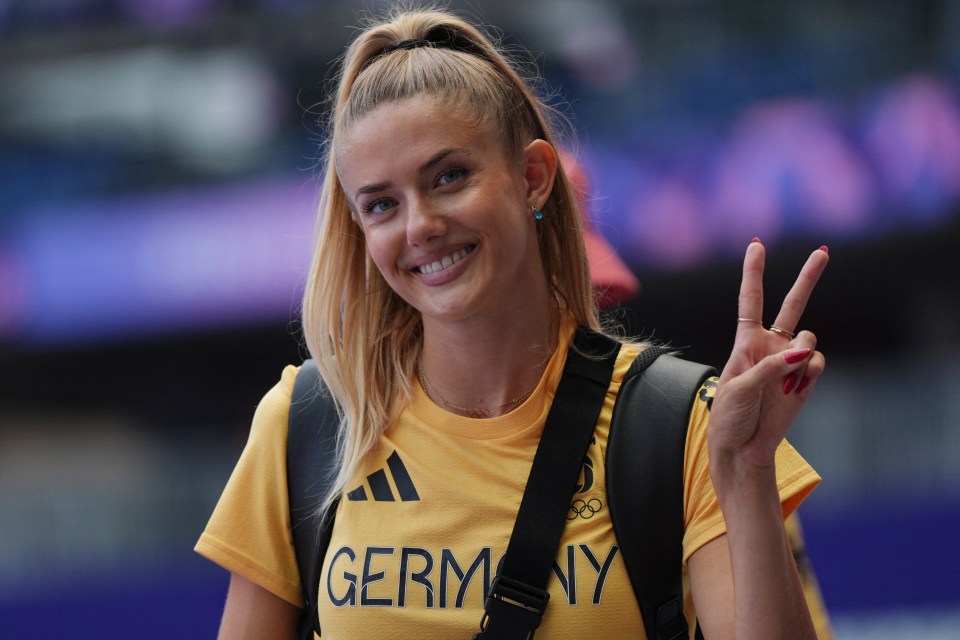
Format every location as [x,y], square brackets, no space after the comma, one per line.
[157,187]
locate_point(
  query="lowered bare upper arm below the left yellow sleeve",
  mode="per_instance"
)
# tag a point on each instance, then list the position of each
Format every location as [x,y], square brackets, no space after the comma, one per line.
[252,613]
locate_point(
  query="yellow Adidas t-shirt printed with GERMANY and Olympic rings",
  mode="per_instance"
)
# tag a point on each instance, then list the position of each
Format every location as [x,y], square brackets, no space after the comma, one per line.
[426,520]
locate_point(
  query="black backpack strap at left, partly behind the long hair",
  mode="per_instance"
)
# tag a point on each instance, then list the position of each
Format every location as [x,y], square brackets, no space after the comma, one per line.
[311,470]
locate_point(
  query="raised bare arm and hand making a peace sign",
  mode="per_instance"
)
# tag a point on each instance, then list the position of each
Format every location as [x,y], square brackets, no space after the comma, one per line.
[745,583]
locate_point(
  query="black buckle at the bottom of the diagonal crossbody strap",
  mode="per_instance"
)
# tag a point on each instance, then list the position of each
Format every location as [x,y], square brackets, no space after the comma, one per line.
[512,609]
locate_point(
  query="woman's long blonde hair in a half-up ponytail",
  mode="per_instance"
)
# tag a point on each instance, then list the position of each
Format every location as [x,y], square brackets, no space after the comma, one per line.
[364,337]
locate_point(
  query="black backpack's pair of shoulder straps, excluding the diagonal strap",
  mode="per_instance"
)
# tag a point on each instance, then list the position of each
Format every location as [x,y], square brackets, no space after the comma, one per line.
[644,463]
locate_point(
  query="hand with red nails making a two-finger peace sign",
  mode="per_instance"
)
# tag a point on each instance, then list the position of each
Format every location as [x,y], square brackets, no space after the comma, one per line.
[770,373]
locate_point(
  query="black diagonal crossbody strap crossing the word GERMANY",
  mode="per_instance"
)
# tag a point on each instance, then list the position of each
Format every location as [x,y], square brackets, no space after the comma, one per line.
[518,597]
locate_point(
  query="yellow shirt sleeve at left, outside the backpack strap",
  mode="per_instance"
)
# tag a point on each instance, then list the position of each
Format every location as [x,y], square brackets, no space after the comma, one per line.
[249,531]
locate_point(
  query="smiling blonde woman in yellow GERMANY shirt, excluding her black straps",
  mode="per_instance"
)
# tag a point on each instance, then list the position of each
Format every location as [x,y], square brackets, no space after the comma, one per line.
[448,278]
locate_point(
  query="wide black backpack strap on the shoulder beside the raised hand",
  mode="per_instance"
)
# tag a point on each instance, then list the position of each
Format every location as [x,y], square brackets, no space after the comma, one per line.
[645,451]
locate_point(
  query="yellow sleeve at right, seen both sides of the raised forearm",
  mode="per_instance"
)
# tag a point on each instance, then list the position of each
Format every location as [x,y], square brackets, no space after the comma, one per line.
[703,520]
